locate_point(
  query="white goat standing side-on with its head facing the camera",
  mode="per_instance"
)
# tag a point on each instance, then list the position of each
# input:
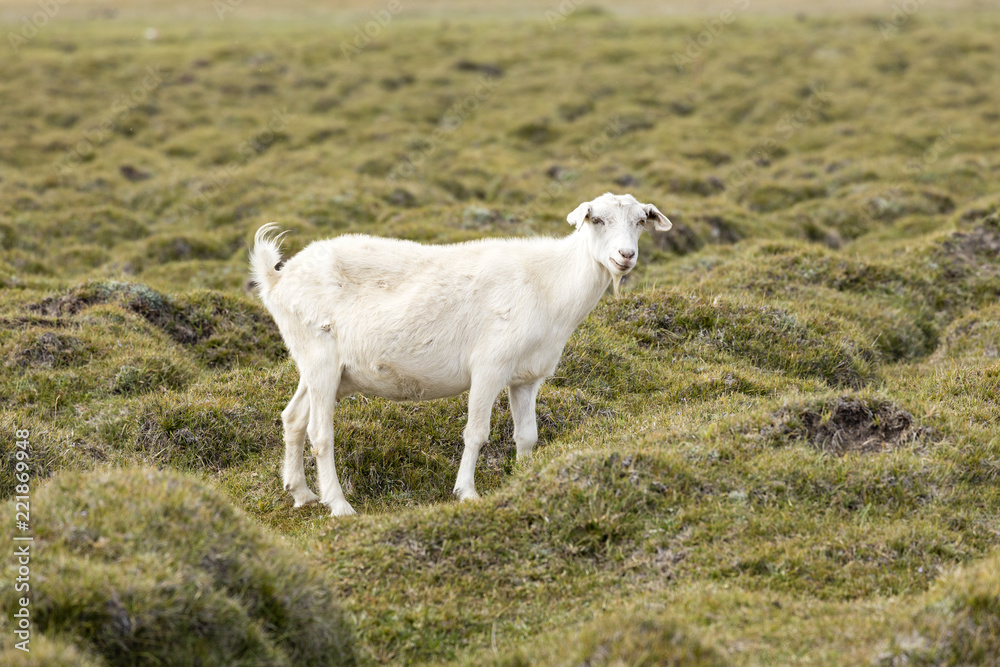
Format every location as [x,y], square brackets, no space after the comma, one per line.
[411,322]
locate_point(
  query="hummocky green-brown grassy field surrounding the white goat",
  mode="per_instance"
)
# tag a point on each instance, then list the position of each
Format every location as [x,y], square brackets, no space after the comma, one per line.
[780,445]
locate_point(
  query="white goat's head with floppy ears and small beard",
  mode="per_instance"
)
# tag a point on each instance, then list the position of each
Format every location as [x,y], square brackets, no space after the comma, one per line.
[613,224]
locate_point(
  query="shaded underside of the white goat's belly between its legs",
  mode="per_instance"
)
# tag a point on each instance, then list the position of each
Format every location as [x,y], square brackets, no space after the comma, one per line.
[396,384]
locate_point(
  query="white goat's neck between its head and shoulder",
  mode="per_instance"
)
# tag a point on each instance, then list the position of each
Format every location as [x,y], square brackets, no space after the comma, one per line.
[578,282]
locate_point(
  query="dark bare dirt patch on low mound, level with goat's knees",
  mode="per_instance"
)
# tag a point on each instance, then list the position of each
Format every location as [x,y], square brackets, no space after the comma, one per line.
[847,425]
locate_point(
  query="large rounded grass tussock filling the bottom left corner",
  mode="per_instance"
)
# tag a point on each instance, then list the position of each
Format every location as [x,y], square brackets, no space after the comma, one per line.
[146,562]
